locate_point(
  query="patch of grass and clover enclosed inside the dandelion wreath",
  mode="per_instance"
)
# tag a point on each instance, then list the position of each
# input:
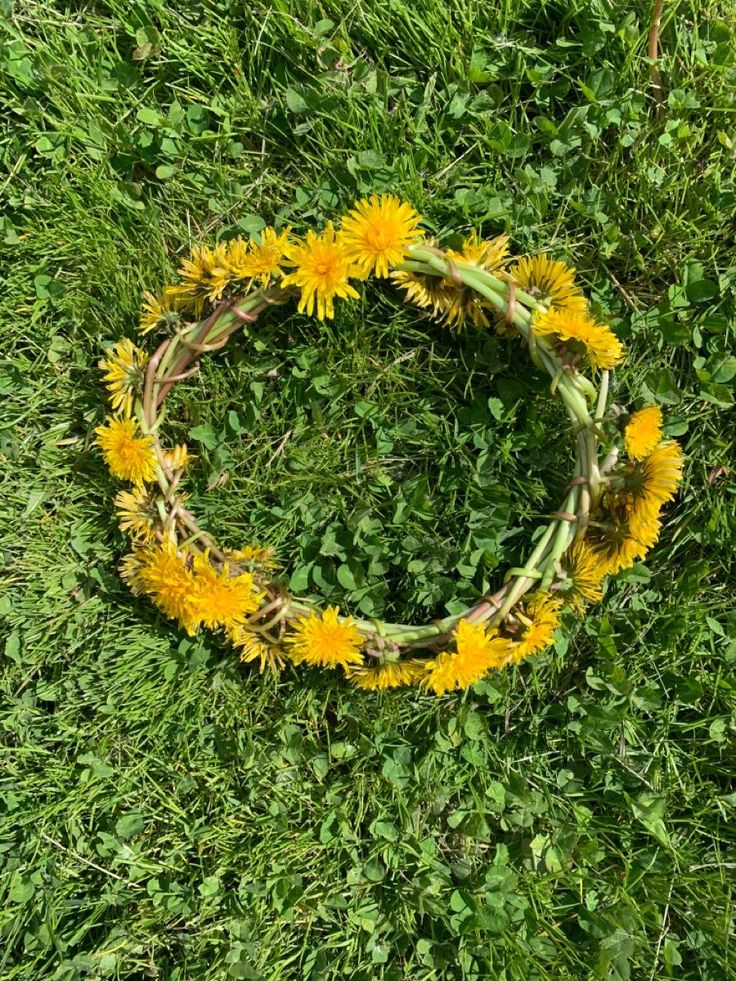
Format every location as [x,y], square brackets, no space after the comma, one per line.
[396,468]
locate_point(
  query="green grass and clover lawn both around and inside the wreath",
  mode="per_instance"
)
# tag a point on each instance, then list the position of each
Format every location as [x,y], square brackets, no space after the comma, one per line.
[166,813]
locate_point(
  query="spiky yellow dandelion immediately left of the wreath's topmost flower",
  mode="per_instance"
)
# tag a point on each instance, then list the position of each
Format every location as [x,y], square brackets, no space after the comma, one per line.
[322,272]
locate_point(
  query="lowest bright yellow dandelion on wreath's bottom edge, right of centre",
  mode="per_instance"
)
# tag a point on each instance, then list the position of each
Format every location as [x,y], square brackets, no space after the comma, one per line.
[477,652]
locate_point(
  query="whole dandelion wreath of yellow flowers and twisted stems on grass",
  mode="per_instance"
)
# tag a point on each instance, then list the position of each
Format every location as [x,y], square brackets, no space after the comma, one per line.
[624,470]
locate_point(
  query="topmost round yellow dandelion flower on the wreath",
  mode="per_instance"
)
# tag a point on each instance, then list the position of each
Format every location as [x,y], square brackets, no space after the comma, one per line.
[377,233]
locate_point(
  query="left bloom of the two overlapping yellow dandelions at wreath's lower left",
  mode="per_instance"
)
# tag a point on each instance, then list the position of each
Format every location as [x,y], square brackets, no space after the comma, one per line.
[161,573]
